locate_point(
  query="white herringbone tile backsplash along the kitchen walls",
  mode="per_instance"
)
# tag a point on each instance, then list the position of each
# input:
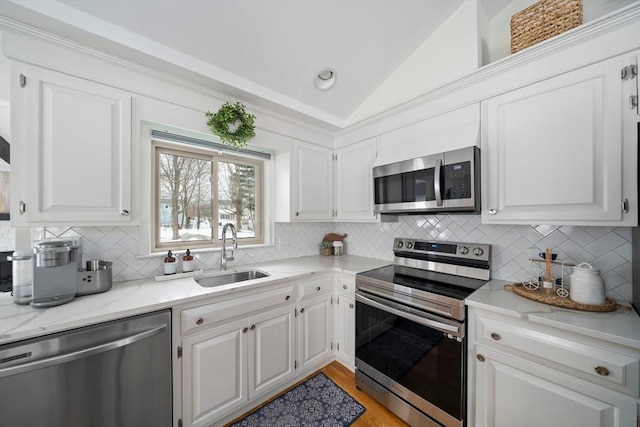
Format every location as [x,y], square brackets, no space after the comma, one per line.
[605,248]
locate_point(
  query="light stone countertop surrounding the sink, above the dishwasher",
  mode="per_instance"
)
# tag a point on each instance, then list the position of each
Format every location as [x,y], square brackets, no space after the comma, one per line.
[18,322]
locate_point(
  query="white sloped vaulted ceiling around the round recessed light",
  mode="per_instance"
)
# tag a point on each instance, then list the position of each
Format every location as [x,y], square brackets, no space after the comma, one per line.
[265,52]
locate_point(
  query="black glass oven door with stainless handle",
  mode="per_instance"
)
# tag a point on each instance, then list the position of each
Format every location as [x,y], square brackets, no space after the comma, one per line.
[413,354]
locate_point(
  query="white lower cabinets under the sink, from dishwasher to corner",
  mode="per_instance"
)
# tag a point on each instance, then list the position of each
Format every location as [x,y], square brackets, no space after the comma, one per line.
[235,352]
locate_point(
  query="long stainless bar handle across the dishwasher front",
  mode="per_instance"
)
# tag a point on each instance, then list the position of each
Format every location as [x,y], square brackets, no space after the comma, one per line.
[85,352]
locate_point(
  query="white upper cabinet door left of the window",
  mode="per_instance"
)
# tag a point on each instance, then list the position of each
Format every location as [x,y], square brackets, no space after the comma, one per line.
[73,162]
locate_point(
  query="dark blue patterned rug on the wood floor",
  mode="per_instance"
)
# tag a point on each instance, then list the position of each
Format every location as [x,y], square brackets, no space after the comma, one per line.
[316,402]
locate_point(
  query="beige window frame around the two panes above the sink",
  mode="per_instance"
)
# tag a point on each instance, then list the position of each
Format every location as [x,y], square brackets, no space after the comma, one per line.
[159,146]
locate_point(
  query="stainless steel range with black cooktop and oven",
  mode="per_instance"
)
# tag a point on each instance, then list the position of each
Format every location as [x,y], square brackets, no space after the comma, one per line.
[410,329]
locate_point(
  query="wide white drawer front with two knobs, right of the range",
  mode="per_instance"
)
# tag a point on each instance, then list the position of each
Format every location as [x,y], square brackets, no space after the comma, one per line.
[610,367]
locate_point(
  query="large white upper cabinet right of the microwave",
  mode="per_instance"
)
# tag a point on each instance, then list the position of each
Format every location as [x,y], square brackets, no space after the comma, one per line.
[563,151]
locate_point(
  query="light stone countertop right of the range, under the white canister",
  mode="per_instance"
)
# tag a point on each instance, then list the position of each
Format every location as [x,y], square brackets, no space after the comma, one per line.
[621,327]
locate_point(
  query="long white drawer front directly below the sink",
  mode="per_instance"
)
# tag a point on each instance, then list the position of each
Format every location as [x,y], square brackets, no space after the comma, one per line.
[198,318]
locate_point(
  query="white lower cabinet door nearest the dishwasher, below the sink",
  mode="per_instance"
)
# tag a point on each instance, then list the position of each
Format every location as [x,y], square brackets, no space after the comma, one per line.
[214,372]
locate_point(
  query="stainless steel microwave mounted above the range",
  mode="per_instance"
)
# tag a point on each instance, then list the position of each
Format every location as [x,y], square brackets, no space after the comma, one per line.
[445,182]
